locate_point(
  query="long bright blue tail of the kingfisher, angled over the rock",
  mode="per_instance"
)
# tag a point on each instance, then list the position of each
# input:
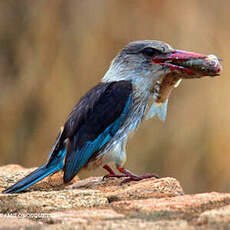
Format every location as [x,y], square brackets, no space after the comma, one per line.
[52,166]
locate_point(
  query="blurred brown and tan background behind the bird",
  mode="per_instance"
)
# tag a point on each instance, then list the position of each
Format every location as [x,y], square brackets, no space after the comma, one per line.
[52,52]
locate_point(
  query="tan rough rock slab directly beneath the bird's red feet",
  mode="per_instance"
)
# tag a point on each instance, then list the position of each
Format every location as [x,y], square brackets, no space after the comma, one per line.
[158,188]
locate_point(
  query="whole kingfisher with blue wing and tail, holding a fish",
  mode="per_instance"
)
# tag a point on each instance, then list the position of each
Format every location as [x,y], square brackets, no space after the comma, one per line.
[96,131]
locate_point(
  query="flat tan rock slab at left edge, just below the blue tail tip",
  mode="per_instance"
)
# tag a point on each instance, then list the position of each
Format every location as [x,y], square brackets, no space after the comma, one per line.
[49,201]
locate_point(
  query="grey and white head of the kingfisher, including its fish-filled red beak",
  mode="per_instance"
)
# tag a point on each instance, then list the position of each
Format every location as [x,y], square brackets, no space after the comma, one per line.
[155,63]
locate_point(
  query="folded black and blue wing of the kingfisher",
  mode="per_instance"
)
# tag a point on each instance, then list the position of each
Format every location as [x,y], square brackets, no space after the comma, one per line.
[94,121]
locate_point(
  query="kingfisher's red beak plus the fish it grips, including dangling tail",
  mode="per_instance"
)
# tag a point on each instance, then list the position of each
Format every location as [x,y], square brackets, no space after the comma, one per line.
[182,65]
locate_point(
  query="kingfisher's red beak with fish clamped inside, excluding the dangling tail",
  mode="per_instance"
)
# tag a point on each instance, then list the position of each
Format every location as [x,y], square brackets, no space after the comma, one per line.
[190,64]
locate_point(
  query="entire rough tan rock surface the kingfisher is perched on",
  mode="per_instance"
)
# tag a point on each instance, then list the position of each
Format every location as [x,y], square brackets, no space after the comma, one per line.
[94,203]
